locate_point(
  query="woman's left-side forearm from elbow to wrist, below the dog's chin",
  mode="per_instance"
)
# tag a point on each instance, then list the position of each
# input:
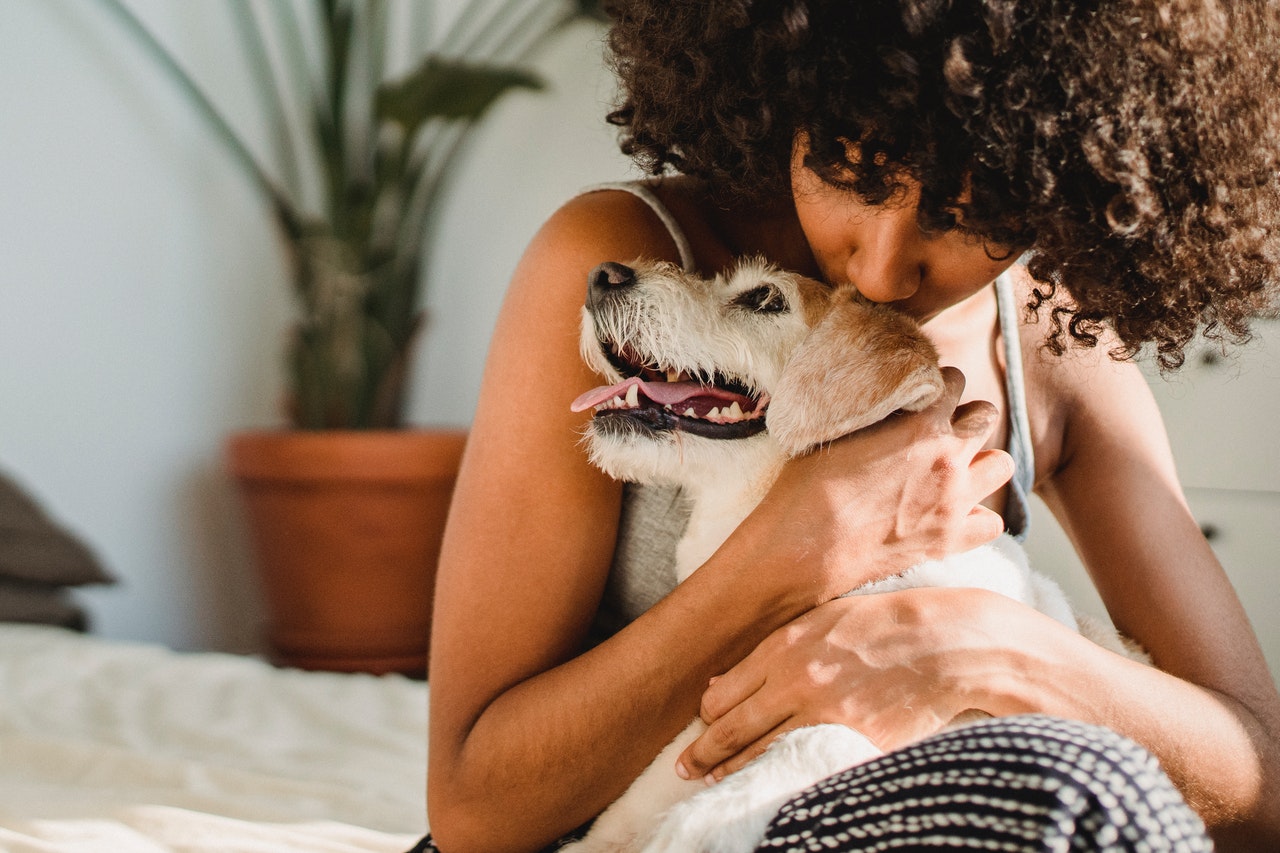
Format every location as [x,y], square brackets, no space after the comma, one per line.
[555,750]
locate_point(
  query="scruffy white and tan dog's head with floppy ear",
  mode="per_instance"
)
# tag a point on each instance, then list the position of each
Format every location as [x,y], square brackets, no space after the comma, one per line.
[697,368]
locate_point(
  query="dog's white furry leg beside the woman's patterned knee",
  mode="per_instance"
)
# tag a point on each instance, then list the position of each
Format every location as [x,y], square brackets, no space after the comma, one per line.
[732,816]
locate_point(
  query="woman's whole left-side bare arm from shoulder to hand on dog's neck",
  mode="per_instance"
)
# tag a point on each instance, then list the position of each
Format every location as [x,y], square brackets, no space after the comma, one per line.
[531,737]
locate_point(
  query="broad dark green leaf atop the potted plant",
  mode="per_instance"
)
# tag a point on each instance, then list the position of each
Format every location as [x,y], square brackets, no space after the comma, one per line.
[449,89]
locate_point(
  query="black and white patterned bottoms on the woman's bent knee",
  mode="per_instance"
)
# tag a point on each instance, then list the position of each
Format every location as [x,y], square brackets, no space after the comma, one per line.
[1020,784]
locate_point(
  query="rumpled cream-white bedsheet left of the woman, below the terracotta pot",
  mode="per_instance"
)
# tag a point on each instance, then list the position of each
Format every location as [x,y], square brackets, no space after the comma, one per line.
[109,747]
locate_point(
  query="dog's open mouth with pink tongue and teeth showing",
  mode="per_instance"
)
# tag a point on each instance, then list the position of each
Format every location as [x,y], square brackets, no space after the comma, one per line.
[662,399]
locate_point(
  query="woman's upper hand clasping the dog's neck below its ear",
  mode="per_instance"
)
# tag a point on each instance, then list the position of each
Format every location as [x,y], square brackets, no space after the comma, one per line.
[885,499]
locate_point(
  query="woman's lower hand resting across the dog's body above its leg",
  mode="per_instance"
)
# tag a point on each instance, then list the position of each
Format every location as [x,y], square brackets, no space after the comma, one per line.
[895,667]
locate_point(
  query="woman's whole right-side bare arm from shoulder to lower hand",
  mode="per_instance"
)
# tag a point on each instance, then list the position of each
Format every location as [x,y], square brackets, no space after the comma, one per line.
[900,665]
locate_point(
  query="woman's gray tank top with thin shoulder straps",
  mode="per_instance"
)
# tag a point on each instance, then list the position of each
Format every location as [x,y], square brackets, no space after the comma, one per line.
[655,517]
